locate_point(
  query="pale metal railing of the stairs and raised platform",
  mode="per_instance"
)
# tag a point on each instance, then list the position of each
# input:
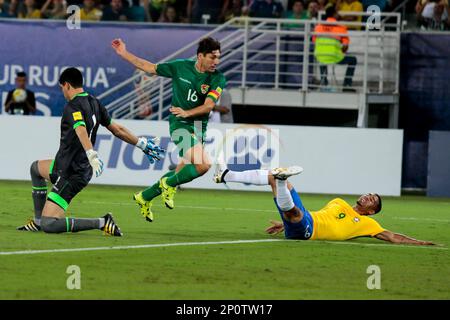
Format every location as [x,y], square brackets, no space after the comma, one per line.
[275,54]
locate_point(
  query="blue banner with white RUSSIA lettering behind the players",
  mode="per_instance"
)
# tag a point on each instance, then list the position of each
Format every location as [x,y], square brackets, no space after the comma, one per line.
[44,48]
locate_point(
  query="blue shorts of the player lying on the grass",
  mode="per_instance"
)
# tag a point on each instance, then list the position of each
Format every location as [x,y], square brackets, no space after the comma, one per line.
[301,230]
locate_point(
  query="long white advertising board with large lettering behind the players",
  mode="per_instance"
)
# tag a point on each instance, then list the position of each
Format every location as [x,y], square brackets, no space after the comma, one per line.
[335,160]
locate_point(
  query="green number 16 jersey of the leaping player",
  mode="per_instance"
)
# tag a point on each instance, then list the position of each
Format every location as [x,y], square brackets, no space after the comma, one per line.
[190,88]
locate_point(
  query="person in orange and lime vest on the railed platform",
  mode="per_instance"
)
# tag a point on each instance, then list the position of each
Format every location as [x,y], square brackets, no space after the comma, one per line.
[331,49]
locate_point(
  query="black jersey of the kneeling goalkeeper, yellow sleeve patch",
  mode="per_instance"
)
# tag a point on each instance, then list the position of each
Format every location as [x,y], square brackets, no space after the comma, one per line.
[83,110]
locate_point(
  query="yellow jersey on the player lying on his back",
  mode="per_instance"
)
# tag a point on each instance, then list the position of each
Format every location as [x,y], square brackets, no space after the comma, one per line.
[339,221]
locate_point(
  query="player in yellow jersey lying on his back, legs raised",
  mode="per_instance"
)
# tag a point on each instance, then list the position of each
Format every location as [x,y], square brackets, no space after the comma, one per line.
[338,220]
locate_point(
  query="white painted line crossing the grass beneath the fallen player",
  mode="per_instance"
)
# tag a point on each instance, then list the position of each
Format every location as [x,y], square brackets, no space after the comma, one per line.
[178,244]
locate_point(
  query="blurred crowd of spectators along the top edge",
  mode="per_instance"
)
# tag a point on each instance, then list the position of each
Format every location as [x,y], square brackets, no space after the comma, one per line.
[186,11]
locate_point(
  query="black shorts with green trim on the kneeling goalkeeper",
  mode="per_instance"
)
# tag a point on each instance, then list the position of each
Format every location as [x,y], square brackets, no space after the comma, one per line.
[65,188]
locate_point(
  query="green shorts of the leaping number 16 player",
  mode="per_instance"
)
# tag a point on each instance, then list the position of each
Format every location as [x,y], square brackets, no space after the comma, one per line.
[185,135]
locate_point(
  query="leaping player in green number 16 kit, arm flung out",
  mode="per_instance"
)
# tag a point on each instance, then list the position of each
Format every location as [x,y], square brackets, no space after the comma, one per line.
[196,88]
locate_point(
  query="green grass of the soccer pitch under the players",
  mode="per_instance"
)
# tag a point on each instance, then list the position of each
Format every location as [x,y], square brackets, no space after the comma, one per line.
[254,270]
